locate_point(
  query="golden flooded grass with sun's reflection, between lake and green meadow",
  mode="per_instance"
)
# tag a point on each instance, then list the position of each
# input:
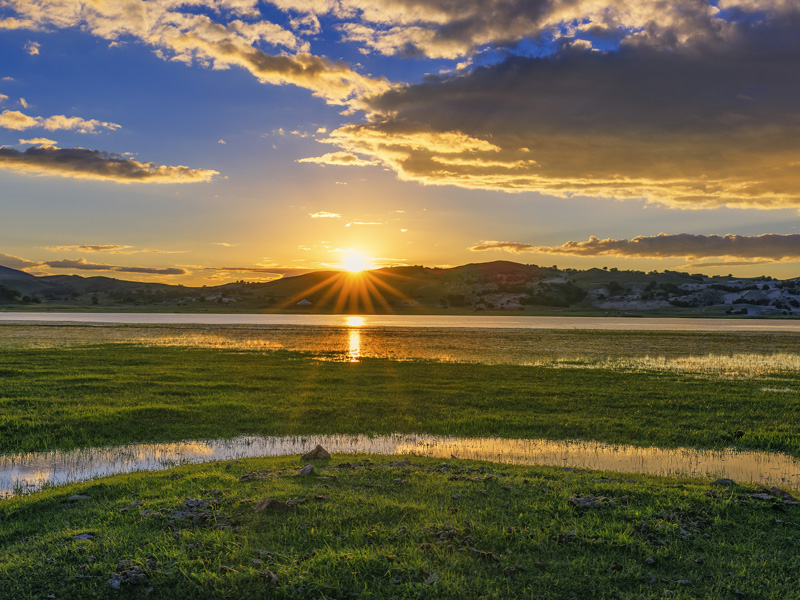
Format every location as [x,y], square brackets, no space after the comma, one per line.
[730,354]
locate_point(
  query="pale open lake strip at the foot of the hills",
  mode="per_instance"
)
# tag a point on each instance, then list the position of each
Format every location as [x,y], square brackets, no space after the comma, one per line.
[437,321]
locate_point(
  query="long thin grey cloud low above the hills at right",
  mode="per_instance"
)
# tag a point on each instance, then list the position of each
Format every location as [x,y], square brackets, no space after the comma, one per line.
[772,246]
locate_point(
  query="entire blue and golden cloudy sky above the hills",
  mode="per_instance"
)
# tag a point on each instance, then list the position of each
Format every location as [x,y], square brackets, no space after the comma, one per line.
[203,142]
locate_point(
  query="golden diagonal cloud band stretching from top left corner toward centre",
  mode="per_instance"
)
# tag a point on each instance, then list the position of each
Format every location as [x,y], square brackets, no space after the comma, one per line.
[216,40]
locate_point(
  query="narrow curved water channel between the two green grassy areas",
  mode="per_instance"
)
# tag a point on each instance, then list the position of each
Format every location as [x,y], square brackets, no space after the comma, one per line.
[25,473]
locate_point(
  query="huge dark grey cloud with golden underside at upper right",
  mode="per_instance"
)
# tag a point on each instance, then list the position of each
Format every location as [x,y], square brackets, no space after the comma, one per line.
[706,123]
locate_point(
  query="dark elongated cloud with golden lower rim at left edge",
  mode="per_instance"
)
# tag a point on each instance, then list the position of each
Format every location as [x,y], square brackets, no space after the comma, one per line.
[91,164]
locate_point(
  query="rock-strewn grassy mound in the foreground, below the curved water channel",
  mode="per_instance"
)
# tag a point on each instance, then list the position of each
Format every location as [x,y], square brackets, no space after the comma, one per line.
[373,529]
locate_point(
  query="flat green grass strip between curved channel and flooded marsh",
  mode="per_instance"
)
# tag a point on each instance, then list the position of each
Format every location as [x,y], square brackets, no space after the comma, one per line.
[112,394]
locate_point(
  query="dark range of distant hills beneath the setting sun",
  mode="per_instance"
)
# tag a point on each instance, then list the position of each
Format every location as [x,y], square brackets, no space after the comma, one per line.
[481,287]
